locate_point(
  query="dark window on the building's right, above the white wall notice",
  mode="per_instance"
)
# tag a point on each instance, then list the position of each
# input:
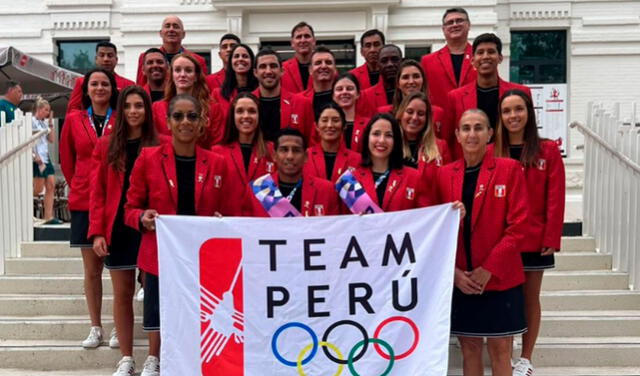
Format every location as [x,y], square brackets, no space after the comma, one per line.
[539,57]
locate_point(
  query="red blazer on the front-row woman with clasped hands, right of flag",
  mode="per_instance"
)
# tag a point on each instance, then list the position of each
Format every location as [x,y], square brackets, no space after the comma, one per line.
[498,221]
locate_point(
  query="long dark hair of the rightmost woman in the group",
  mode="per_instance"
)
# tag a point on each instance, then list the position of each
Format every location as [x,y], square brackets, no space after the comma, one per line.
[531,138]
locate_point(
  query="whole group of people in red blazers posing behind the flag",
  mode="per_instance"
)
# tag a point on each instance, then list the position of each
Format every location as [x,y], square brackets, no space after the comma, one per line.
[263,137]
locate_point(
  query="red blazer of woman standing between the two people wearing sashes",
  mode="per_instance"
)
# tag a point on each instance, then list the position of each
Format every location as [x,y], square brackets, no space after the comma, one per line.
[315,166]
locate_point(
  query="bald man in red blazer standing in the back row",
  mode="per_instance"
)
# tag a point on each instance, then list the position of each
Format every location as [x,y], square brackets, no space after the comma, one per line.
[172,33]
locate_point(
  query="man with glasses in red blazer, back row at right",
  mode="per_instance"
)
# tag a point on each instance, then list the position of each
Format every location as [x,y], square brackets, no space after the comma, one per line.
[450,67]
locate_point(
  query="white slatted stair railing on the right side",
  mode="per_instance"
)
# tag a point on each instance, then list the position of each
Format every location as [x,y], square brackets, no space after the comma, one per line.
[611,199]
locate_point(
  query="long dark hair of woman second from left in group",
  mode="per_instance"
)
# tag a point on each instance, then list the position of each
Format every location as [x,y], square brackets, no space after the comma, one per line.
[117,151]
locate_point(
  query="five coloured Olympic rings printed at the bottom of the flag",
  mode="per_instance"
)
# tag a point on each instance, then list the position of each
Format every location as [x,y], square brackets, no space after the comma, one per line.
[356,352]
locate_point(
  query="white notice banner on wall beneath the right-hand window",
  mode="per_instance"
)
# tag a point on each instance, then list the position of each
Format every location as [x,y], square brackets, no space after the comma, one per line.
[550,104]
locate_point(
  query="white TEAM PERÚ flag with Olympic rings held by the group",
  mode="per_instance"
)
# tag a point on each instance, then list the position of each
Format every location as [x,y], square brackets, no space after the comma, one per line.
[344,295]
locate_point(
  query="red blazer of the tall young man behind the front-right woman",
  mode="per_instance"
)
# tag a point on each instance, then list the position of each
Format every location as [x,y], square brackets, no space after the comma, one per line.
[462,99]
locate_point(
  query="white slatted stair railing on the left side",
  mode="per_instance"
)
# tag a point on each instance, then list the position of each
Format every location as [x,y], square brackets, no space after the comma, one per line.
[16,184]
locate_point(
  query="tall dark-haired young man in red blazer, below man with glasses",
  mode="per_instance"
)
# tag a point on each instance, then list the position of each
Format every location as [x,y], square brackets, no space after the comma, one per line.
[484,93]
